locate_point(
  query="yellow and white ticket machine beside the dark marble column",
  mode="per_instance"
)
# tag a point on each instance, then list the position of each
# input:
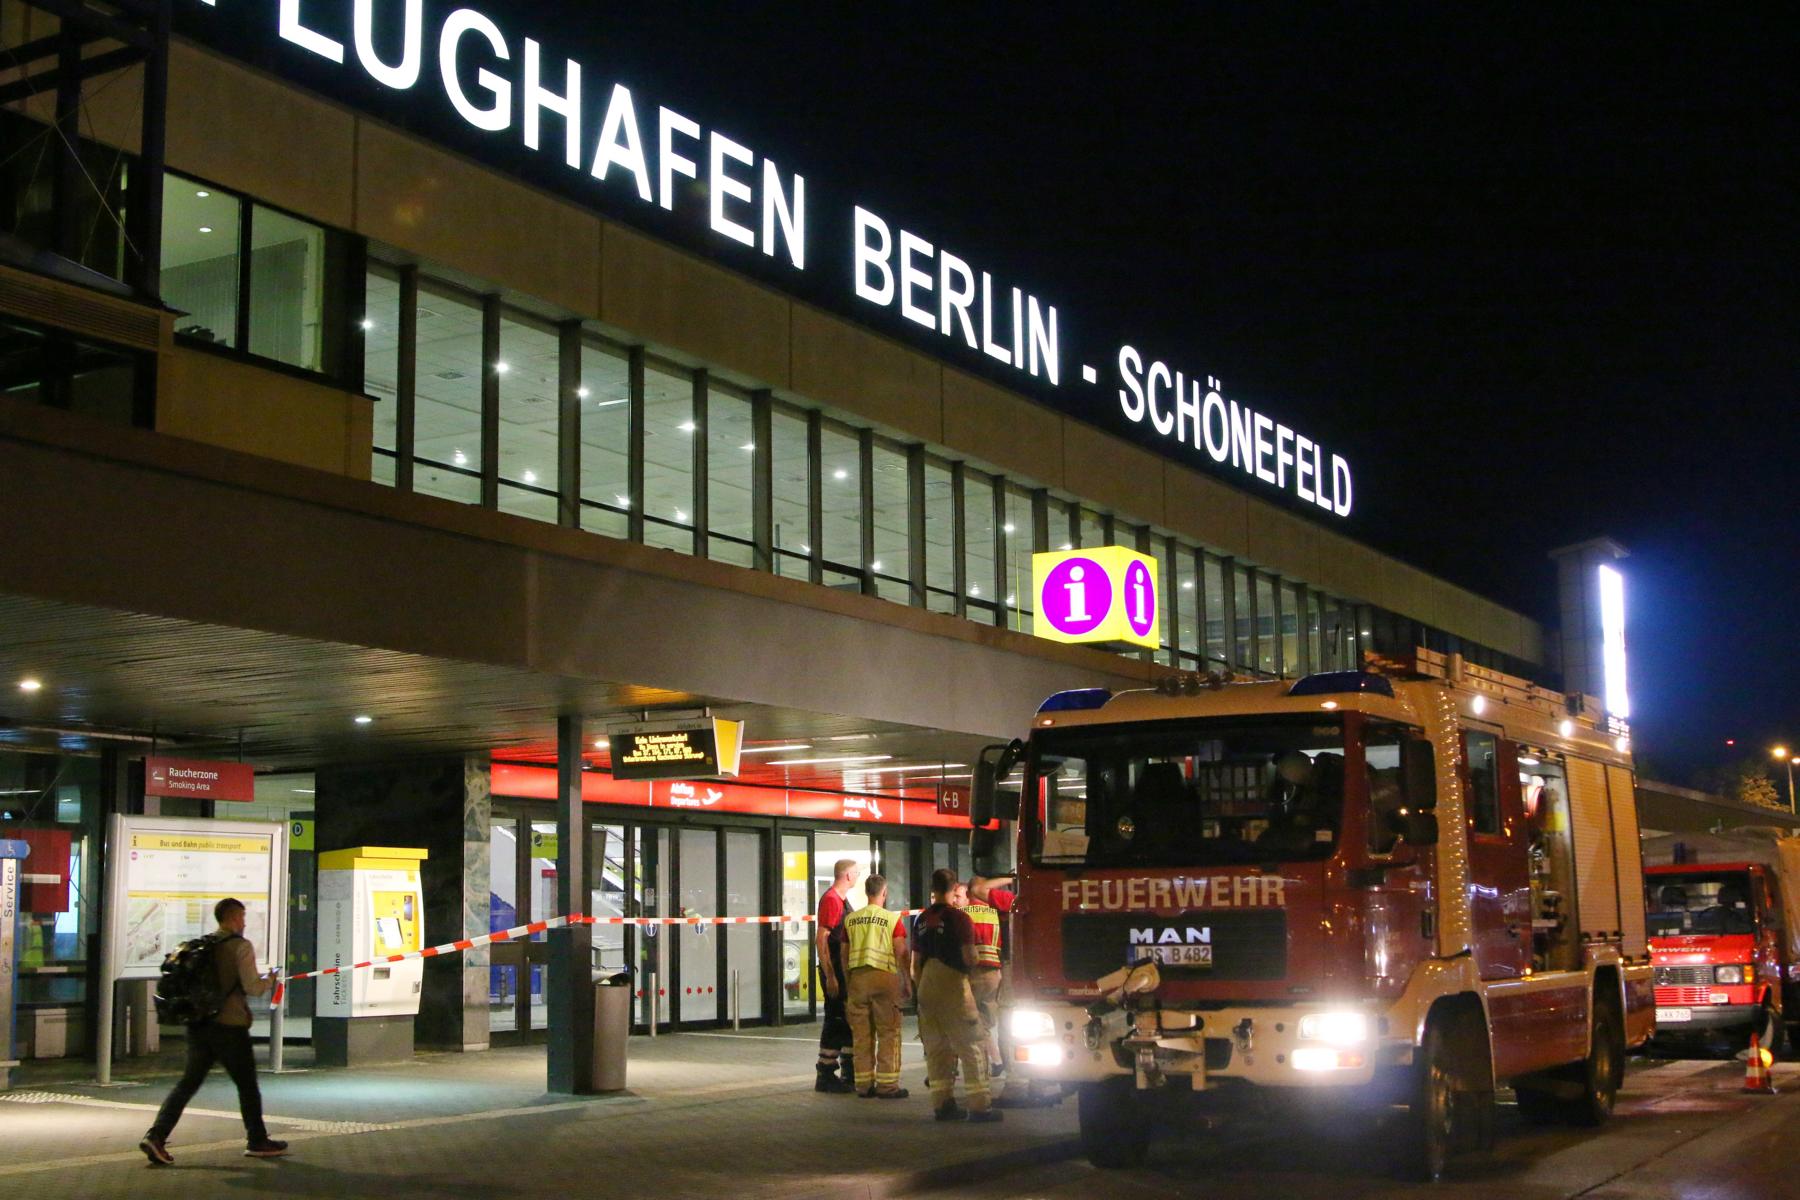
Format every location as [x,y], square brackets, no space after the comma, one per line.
[372,906]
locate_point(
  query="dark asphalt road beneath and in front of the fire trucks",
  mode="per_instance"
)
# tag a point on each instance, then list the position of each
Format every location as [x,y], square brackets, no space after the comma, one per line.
[1684,1131]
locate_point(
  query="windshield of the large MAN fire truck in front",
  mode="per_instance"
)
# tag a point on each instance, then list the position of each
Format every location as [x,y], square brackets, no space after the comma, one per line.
[1189,793]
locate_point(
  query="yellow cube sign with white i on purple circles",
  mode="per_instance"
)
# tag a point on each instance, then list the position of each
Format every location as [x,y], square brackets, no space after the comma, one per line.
[1104,596]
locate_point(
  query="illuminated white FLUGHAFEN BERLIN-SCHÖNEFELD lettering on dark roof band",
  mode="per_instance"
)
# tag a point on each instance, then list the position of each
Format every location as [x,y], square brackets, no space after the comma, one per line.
[481,80]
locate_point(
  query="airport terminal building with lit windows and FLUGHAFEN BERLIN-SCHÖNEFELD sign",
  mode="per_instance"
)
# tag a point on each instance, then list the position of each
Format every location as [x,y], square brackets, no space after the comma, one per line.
[400,406]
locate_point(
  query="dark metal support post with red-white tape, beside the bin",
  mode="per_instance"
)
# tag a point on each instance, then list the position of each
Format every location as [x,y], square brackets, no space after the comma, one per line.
[571,980]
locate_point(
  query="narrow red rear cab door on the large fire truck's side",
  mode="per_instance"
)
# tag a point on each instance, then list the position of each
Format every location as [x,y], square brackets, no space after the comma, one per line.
[1498,877]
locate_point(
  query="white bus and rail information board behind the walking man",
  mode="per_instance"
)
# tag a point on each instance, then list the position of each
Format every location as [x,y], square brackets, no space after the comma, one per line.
[166,873]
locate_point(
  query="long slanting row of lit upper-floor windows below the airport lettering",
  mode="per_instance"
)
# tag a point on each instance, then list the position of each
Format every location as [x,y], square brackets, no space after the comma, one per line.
[670,458]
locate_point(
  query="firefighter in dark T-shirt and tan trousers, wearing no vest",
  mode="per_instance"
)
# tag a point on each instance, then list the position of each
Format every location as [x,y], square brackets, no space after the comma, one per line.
[948,1019]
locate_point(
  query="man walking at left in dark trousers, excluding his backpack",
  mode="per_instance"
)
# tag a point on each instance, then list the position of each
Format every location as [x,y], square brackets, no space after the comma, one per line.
[224,1039]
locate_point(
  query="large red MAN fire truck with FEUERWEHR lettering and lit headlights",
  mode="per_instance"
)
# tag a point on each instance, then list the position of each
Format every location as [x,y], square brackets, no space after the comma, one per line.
[1405,886]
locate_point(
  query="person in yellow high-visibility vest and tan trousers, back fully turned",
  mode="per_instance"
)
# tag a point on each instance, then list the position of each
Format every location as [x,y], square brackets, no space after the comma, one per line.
[876,960]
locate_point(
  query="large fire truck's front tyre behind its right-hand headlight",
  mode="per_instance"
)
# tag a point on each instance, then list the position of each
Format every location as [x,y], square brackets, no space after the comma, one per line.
[1453,1104]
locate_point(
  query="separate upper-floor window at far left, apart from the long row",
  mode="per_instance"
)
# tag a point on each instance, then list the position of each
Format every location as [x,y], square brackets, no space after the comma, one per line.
[283,305]
